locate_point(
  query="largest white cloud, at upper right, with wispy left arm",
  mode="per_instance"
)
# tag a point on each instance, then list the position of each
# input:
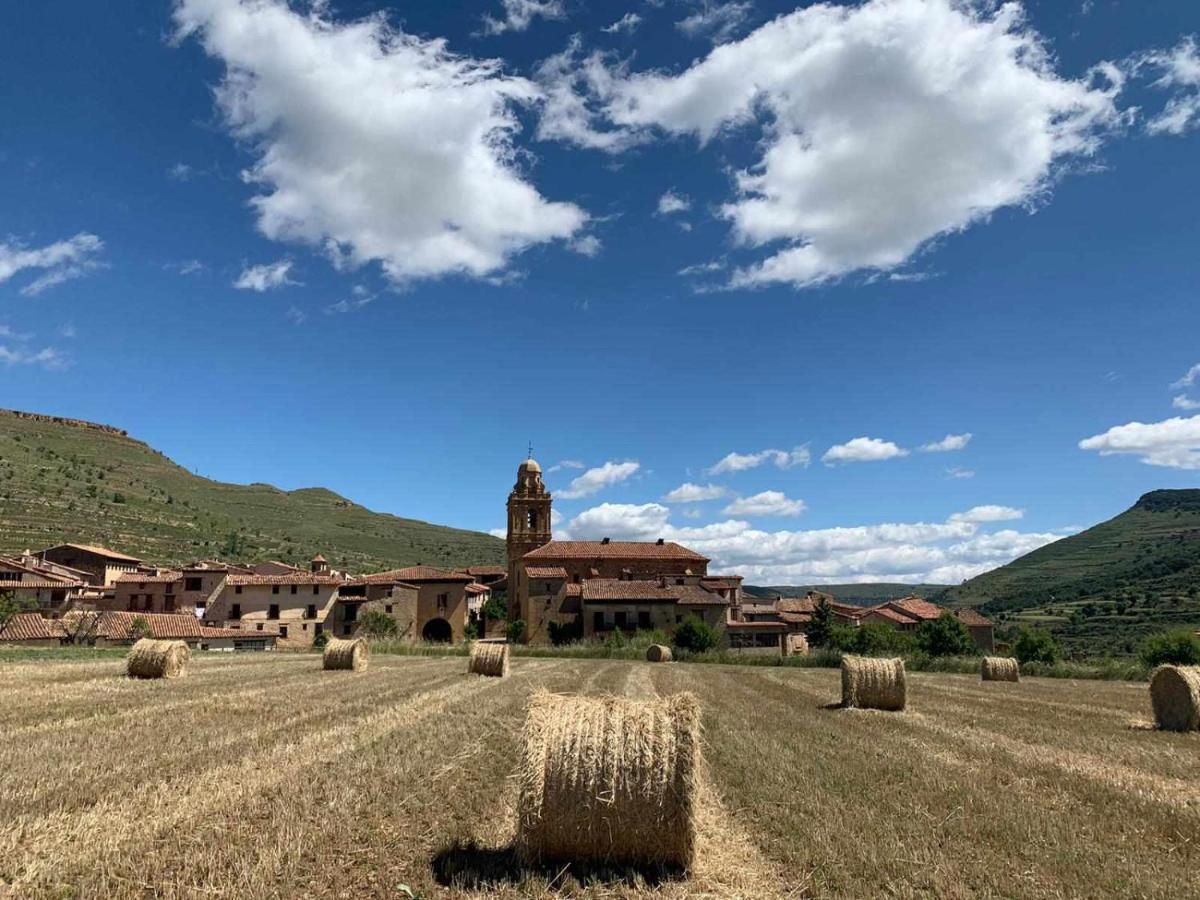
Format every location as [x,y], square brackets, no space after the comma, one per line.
[884,127]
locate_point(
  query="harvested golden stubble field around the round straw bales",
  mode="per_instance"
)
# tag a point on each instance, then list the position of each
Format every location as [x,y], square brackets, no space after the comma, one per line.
[262,776]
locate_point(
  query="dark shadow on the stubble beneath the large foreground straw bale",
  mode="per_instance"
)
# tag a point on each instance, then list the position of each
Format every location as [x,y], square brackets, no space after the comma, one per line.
[467,866]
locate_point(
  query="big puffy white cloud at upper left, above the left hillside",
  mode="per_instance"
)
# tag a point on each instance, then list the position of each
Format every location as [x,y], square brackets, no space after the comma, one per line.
[373,145]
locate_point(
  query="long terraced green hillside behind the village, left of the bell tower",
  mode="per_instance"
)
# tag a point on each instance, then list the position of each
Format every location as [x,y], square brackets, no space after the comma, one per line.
[65,481]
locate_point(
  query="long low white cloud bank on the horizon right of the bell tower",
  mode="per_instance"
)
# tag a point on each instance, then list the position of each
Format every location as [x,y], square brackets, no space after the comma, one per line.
[937,553]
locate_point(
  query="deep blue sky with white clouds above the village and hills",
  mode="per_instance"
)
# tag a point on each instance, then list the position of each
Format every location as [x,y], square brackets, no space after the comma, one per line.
[314,245]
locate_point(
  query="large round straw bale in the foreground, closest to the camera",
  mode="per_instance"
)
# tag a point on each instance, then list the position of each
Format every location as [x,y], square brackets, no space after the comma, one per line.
[610,781]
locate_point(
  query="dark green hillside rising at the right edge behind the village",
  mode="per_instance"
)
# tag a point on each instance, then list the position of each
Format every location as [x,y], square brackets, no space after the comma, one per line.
[1108,587]
